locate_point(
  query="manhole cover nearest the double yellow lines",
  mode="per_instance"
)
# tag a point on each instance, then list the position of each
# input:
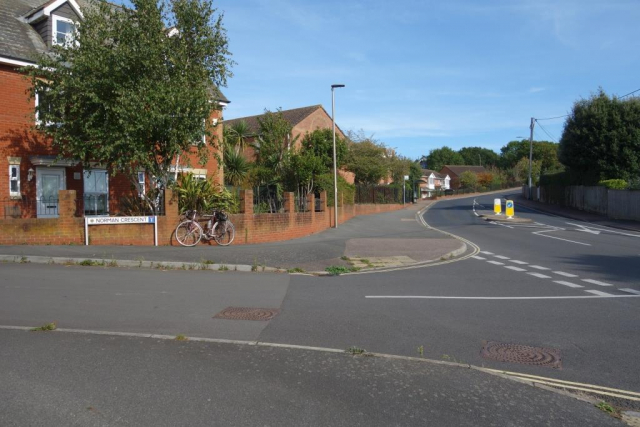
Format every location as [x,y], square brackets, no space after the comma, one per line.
[523,354]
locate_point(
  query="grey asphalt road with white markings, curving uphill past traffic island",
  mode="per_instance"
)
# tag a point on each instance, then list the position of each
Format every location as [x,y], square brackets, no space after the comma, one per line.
[573,290]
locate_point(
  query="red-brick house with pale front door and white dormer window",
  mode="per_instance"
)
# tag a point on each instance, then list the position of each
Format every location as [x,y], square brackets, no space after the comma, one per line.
[31,173]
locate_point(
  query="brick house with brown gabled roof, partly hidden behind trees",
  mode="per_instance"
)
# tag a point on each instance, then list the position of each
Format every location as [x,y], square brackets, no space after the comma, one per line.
[303,120]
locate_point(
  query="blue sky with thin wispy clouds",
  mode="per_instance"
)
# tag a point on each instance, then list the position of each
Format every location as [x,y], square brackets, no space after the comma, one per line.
[423,74]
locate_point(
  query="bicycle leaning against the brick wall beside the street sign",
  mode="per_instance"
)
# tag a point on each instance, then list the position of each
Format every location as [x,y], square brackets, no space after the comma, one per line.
[218,227]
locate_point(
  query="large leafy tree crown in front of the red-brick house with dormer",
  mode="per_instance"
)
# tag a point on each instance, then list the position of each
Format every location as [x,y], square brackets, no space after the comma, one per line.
[129,95]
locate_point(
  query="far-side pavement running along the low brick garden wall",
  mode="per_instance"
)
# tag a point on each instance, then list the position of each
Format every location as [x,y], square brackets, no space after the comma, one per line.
[386,235]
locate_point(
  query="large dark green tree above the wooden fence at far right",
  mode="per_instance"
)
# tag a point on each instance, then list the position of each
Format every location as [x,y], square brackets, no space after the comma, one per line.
[601,138]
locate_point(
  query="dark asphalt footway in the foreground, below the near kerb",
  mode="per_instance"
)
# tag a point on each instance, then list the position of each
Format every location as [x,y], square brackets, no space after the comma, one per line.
[54,378]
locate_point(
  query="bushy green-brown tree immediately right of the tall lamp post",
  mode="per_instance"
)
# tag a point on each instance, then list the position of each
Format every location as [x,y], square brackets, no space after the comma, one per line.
[367,158]
